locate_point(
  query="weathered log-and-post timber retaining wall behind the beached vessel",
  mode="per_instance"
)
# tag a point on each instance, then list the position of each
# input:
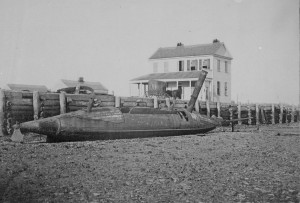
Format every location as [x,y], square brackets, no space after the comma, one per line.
[25,106]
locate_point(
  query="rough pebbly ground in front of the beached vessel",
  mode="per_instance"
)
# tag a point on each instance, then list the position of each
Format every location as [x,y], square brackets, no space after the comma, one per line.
[246,166]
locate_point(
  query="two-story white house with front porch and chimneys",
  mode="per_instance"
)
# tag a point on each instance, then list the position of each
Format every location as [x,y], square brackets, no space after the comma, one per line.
[179,67]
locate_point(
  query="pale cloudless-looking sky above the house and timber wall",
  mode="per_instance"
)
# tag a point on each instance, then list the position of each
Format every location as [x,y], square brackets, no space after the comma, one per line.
[42,41]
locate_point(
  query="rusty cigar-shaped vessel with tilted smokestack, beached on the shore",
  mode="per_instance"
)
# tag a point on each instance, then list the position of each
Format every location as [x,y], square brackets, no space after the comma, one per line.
[103,123]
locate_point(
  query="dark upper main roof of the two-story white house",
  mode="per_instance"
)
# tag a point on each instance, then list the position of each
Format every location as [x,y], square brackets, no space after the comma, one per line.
[217,48]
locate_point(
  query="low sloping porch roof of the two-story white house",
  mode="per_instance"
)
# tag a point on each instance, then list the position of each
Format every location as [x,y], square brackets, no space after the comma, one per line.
[170,75]
